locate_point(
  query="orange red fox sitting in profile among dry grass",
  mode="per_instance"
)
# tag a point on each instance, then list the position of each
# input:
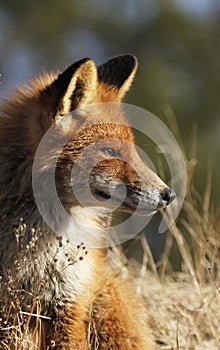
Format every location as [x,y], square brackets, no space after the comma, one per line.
[73,294]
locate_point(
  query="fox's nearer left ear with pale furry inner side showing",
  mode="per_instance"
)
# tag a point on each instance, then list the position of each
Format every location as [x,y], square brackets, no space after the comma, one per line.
[74,87]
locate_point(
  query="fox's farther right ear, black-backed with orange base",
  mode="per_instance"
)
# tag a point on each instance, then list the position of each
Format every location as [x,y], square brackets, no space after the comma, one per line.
[115,77]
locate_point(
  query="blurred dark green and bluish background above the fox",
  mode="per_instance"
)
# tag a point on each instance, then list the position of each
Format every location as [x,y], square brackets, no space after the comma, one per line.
[177,44]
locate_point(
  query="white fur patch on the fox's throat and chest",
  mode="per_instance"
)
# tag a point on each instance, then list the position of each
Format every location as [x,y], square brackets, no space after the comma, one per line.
[69,264]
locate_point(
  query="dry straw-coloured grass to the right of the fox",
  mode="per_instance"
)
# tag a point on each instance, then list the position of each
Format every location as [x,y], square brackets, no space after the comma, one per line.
[184,306]
